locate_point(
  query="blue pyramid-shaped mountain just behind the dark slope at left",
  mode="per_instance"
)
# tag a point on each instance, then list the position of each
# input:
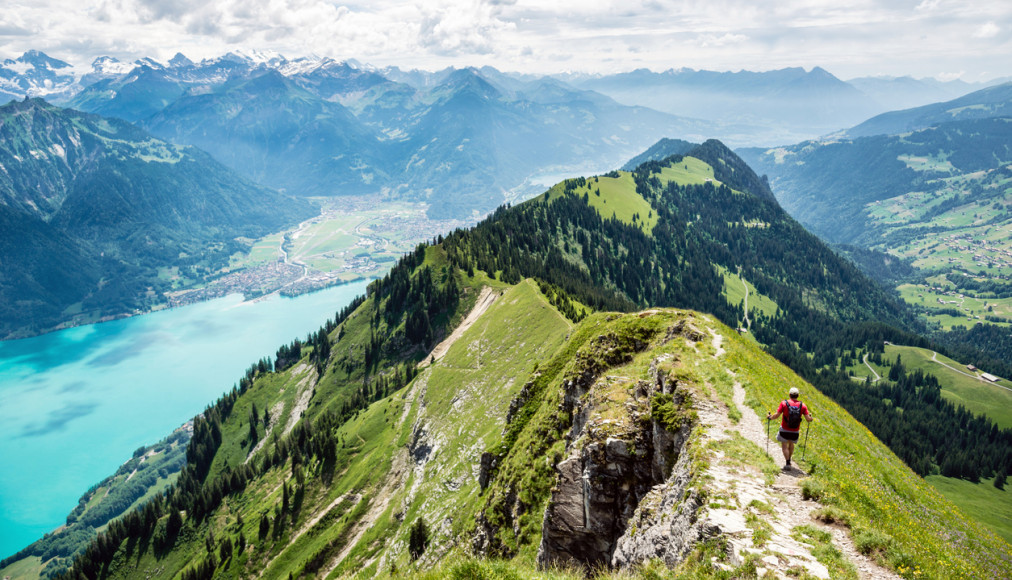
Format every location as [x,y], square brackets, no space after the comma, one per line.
[273,132]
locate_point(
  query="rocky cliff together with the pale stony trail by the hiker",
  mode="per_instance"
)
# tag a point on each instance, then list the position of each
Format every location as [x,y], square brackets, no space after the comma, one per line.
[665,461]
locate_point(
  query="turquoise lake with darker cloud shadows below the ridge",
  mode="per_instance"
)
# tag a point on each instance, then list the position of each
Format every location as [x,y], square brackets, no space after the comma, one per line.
[75,404]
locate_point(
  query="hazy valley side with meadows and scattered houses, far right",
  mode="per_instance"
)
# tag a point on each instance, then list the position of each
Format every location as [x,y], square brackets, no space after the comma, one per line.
[938,200]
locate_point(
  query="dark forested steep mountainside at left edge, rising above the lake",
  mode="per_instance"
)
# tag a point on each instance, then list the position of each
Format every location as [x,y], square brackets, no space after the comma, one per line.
[98,207]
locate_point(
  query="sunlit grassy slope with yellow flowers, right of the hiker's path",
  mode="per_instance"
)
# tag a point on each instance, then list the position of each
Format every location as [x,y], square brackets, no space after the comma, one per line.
[891,511]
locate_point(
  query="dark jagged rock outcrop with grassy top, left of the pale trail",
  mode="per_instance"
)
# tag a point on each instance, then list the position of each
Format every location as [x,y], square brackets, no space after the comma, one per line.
[620,450]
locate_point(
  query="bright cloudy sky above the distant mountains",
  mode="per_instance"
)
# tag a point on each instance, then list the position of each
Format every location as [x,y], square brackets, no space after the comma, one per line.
[945,39]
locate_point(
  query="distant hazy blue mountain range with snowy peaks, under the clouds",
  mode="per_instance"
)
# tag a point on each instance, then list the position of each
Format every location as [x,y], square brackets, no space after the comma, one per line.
[313,126]
